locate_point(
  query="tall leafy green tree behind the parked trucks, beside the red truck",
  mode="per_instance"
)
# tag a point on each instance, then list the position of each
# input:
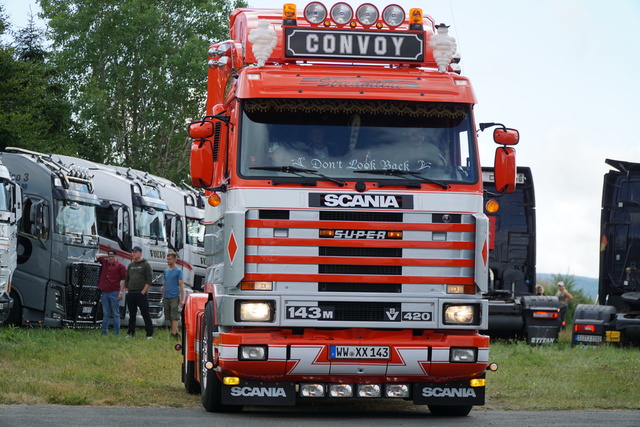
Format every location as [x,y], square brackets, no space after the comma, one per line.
[136,70]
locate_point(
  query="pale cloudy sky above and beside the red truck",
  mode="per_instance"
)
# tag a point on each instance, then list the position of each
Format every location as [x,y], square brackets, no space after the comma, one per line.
[565,74]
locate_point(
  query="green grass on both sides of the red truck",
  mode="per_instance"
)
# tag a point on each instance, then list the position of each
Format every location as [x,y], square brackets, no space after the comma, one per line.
[69,367]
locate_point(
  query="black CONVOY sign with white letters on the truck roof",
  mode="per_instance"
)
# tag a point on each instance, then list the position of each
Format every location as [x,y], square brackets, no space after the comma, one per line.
[354,44]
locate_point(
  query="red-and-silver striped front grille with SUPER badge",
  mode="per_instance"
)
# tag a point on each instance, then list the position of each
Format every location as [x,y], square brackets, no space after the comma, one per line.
[285,246]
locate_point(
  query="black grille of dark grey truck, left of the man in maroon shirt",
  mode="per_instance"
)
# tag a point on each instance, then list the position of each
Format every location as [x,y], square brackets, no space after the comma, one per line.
[82,295]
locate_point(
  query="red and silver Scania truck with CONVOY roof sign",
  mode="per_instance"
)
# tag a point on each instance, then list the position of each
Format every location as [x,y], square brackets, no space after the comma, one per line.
[346,242]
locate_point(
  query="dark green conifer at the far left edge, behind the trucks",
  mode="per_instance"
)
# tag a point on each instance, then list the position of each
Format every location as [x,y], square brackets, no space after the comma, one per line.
[33,111]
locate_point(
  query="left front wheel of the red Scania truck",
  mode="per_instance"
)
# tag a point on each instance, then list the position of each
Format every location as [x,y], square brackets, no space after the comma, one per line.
[211,386]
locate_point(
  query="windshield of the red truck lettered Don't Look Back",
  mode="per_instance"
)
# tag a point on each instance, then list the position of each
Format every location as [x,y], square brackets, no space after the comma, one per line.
[342,139]
